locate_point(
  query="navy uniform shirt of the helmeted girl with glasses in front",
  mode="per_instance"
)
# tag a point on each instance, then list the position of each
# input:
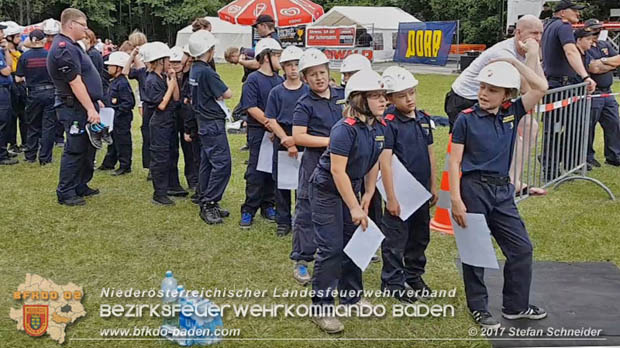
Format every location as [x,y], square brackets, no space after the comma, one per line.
[360,143]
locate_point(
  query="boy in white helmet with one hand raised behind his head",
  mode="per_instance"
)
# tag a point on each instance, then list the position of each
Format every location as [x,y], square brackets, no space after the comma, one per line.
[483,140]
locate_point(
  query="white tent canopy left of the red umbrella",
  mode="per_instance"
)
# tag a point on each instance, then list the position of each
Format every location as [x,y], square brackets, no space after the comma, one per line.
[227,35]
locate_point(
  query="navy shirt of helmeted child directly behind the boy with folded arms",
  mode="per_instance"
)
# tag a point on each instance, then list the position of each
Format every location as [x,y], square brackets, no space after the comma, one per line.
[281,103]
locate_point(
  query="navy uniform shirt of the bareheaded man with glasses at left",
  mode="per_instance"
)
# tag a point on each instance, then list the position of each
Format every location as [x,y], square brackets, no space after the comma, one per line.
[65,61]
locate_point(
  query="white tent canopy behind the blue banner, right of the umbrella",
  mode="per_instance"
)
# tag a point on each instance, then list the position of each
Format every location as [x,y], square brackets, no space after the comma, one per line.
[381,22]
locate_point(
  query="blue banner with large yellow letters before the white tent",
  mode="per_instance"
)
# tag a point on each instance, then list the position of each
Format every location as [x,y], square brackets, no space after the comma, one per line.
[424,42]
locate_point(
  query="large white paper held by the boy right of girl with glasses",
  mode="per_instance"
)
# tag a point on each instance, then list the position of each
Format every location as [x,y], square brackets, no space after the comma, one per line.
[409,192]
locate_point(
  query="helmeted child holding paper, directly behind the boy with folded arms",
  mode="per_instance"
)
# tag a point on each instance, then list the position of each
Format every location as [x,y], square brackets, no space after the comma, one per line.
[279,111]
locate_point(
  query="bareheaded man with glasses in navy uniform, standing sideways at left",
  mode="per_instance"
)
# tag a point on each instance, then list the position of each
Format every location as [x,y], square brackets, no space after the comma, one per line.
[79,95]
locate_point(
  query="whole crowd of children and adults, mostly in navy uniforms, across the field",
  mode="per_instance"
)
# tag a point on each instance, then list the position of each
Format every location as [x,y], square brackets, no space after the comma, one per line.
[344,134]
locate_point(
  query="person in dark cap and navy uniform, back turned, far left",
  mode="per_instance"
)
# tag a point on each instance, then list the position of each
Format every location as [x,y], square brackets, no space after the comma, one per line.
[40,115]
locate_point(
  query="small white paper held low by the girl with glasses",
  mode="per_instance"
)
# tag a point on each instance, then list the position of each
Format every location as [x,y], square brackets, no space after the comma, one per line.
[364,244]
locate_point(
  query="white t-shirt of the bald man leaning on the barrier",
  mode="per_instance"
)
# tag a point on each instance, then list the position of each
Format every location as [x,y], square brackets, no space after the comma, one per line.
[466,84]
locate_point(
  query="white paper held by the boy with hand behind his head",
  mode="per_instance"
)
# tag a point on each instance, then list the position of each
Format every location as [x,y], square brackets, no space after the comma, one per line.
[474,242]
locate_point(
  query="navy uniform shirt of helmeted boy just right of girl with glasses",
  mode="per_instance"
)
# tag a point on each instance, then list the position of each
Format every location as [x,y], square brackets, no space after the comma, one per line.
[409,138]
